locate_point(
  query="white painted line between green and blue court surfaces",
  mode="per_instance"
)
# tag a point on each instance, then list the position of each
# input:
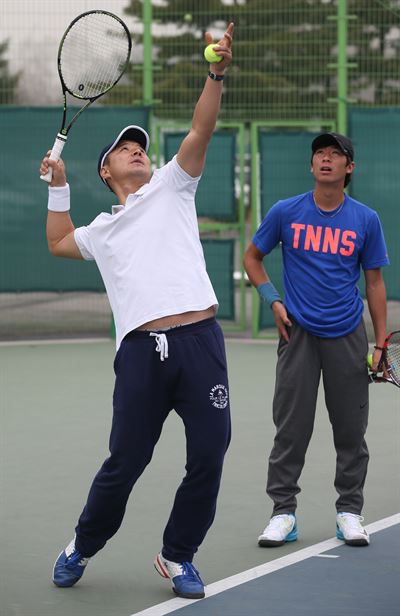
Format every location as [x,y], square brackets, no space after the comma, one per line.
[251,574]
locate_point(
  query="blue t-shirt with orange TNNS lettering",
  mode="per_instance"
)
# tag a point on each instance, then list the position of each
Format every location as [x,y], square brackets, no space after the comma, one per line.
[322,257]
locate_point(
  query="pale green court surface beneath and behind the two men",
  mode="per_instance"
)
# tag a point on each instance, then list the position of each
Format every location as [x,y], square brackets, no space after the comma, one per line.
[56,415]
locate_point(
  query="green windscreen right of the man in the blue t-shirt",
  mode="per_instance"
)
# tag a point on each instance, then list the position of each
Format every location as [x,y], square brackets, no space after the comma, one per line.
[376,179]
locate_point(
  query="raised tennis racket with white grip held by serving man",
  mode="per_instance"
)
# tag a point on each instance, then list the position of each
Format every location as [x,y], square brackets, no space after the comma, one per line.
[93,55]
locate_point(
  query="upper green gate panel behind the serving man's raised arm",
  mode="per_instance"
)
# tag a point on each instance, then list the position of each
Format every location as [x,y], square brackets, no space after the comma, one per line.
[215,197]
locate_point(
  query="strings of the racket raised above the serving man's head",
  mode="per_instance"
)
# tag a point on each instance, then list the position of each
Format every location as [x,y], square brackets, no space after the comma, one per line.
[93,55]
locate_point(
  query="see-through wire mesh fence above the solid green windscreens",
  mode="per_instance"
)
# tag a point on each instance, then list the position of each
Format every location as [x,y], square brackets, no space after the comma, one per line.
[286,61]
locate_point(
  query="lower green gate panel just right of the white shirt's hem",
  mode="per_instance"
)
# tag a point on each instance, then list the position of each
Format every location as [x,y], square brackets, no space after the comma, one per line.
[219,256]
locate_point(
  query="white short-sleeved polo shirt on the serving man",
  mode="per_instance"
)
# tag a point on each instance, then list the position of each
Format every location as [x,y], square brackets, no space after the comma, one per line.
[149,252]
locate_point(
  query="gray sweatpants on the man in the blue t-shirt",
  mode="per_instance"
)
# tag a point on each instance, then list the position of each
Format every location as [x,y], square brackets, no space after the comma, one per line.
[342,362]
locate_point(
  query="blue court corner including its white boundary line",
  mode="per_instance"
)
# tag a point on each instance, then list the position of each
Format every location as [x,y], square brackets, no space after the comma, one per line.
[327,579]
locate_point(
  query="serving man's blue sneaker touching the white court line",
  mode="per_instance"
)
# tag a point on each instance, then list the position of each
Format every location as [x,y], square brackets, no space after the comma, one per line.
[186,581]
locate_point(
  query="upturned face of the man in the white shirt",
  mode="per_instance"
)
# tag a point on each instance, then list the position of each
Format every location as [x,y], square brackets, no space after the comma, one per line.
[128,160]
